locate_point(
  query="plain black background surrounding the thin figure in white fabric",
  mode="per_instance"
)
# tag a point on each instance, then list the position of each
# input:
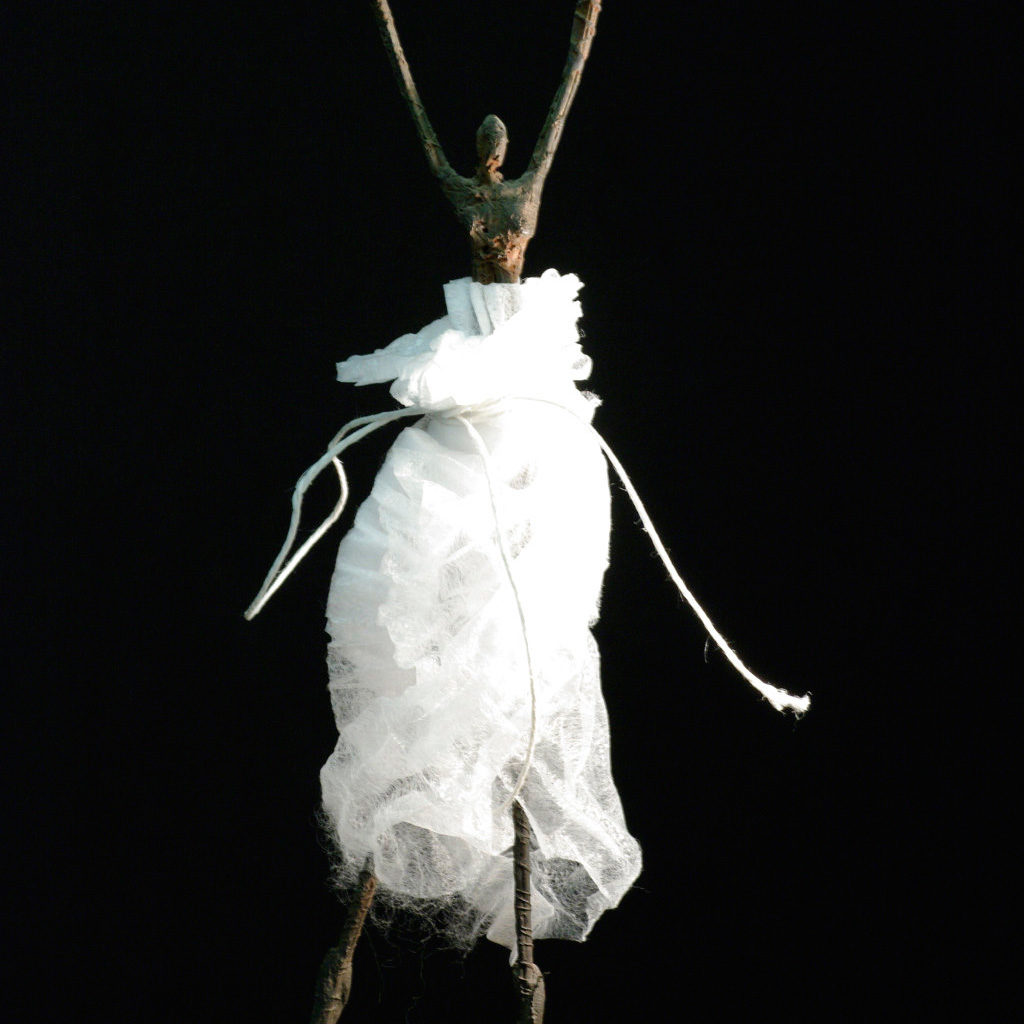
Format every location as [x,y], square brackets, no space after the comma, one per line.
[785,218]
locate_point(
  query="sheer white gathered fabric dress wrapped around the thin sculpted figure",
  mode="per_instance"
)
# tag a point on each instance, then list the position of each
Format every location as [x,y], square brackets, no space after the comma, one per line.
[430,680]
